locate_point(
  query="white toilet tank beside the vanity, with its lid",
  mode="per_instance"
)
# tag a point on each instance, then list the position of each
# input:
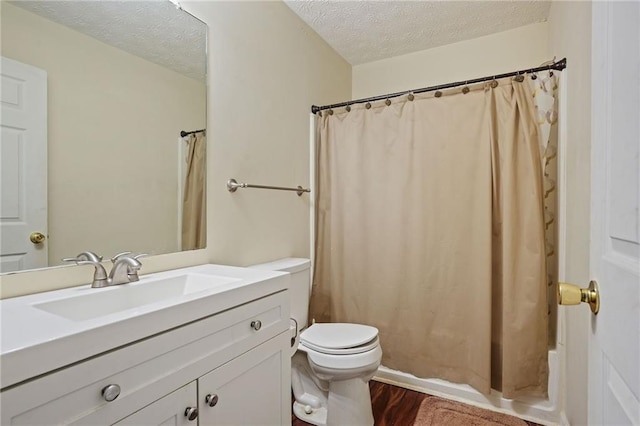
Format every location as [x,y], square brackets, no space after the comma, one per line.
[300,270]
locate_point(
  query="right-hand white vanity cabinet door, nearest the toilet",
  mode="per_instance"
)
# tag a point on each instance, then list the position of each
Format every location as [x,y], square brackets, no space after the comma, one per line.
[252,389]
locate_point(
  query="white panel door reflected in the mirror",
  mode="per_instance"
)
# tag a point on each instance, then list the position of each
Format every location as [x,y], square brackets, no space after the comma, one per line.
[23,166]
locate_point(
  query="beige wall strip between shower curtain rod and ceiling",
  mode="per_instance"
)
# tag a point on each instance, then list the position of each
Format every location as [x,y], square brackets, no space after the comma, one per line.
[520,48]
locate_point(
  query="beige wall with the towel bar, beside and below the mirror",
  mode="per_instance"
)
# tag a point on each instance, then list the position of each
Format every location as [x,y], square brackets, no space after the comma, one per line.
[266,68]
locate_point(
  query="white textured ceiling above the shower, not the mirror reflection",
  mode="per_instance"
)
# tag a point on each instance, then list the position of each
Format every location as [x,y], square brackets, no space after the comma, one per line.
[365,31]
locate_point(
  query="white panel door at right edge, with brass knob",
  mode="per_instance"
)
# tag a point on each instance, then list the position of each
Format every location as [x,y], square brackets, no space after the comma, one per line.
[614,344]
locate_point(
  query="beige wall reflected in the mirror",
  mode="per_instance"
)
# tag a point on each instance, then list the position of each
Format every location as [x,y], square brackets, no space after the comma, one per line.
[113,127]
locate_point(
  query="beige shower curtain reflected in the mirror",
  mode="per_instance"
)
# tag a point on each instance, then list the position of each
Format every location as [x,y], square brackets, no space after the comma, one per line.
[194,228]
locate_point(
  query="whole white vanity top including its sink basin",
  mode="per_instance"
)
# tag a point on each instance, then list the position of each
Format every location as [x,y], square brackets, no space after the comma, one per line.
[45,331]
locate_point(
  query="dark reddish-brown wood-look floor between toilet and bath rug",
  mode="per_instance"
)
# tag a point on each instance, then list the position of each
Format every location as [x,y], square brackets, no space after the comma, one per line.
[392,405]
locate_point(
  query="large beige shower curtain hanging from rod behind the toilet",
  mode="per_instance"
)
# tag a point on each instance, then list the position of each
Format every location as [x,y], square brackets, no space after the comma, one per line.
[430,227]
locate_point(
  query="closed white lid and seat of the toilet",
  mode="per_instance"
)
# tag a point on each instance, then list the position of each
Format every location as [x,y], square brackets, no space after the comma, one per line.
[339,338]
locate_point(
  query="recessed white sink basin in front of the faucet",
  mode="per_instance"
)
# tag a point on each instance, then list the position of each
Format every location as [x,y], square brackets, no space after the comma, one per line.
[132,296]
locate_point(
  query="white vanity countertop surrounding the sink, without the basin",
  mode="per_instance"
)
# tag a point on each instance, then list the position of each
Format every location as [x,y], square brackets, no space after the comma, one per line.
[34,341]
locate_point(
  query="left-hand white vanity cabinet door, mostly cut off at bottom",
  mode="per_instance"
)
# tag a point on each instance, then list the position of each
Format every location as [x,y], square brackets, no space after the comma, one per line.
[168,410]
